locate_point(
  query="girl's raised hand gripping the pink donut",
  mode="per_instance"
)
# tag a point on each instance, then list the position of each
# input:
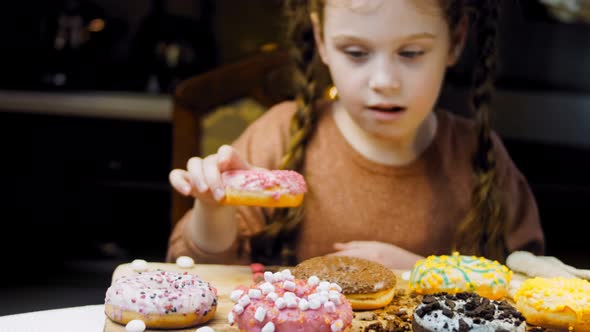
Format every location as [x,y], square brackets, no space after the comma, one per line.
[202,178]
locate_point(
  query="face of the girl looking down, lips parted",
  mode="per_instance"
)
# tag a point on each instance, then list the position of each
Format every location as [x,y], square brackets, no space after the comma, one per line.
[387,58]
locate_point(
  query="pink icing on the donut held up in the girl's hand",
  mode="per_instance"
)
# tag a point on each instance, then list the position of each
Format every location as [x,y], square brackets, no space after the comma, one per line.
[259,180]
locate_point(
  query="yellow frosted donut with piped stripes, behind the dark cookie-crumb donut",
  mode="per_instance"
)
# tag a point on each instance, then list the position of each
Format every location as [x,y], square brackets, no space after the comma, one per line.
[458,273]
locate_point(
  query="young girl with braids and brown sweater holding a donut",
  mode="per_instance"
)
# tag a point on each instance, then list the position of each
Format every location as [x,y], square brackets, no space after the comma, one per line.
[390,178]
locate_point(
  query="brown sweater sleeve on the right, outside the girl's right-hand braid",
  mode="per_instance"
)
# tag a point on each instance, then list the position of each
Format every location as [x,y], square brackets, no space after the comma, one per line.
[525,232]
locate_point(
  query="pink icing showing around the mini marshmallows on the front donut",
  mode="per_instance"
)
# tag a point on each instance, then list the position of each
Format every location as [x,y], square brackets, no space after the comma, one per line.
[288,319]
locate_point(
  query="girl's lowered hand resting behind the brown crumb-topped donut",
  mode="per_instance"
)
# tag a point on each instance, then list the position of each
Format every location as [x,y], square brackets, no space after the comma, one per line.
[387,254]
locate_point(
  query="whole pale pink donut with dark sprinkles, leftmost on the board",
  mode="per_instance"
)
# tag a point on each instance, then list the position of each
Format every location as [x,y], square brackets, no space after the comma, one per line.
[163,300]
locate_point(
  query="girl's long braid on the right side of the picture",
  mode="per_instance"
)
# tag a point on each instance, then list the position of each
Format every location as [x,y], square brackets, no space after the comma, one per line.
[482,231]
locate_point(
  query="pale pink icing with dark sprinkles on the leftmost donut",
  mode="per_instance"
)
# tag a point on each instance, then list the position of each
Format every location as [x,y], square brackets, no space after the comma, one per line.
[160,292]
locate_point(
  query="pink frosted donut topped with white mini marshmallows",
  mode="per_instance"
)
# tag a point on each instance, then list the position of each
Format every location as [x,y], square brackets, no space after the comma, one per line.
[283,303]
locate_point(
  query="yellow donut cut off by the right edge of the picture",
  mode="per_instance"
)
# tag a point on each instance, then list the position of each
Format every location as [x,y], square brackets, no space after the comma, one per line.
[558,303]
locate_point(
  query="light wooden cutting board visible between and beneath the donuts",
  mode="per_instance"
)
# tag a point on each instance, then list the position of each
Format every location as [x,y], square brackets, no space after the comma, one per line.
[226,278]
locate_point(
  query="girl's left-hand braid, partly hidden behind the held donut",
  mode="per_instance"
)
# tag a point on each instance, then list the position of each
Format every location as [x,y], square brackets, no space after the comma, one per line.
[279,235]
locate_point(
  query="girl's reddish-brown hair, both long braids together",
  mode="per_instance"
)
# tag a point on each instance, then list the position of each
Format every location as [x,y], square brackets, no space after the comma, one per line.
[482,231]
